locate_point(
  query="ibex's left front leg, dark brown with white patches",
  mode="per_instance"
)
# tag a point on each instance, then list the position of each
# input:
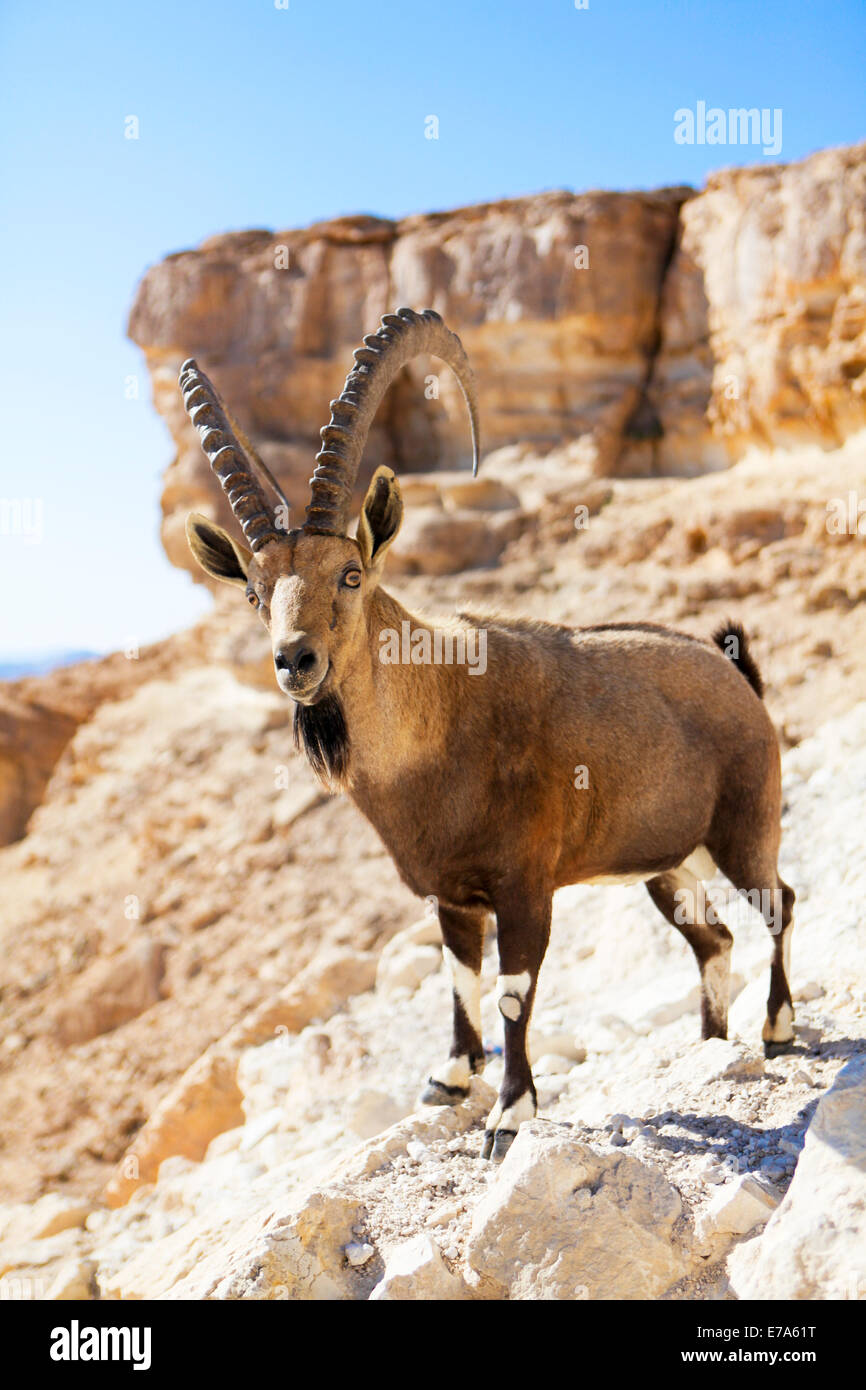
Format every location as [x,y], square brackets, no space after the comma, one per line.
[462,945]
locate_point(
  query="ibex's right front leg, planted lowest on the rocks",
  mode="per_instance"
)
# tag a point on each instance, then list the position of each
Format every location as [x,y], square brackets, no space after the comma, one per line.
[523,926]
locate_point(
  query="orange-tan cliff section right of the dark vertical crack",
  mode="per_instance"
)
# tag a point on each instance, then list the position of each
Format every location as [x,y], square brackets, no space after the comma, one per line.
[764,313]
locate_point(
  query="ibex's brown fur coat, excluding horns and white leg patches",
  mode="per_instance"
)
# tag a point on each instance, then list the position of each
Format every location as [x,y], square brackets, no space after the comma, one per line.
[469,779]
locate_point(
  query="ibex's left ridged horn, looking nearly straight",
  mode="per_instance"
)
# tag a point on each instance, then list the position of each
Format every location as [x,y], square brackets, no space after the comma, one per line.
[229,452]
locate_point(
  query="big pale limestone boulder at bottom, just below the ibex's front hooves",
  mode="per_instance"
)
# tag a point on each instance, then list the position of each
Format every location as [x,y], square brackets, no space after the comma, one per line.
[562,1221]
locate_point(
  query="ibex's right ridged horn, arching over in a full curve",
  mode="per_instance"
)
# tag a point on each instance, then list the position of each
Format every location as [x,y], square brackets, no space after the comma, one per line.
[401,338]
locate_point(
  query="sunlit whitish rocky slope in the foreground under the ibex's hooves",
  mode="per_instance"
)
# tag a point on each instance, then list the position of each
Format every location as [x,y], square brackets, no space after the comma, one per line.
[660,1167]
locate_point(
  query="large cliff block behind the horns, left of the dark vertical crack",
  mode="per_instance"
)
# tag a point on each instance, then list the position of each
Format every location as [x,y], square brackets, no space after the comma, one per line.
[561,348]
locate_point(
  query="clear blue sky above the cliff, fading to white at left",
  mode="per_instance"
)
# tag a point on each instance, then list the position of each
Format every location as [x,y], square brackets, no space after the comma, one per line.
[256,116]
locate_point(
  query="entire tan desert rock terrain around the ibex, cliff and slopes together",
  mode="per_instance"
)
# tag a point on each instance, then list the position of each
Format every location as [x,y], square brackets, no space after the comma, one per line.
[218,1000]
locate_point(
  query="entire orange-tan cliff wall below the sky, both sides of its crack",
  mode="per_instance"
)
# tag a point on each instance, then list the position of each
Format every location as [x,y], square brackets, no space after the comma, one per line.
[657,333]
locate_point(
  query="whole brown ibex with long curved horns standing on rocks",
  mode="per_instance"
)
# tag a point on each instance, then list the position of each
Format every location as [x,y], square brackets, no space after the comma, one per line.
[469,778]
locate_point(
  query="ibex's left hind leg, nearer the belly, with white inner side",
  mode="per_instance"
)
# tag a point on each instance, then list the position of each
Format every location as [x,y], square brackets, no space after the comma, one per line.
[682,899]
